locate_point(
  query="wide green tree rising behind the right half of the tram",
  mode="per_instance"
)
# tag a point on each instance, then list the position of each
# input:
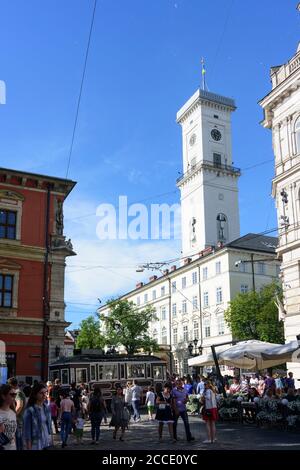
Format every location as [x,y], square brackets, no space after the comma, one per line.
[126,325]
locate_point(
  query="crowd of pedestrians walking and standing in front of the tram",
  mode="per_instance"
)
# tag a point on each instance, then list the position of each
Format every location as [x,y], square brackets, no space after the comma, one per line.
[30,415]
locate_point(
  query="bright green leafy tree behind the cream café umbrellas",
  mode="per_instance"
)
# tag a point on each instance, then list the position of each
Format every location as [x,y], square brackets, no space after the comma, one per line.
[254,315]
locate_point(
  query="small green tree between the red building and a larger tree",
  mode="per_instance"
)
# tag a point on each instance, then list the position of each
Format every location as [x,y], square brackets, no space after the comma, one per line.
[90,336]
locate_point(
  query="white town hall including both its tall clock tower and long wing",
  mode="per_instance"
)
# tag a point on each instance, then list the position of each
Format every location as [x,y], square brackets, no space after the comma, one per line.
[190,300]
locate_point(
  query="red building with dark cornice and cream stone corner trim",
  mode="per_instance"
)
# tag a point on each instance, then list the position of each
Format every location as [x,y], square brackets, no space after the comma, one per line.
[33,250]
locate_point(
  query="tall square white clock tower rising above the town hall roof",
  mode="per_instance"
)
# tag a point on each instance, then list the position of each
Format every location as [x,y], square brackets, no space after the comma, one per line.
[209,183]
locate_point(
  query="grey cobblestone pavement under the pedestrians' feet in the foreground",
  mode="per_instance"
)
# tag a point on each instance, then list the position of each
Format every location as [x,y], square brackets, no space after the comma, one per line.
[230,436]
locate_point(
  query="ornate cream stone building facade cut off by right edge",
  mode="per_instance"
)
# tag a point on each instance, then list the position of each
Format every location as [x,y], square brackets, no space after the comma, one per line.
[282,115]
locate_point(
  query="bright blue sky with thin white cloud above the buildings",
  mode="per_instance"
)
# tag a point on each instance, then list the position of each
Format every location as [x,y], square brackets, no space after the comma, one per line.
[144,63]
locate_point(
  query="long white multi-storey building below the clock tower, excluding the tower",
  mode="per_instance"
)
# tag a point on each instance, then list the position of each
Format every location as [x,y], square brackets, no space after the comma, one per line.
[190,300]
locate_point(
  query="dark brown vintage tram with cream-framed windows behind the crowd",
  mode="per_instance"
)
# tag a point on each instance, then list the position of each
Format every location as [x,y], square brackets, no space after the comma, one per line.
[106,371]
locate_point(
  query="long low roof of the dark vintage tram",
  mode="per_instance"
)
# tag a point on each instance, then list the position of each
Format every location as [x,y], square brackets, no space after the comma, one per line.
[84,358]
